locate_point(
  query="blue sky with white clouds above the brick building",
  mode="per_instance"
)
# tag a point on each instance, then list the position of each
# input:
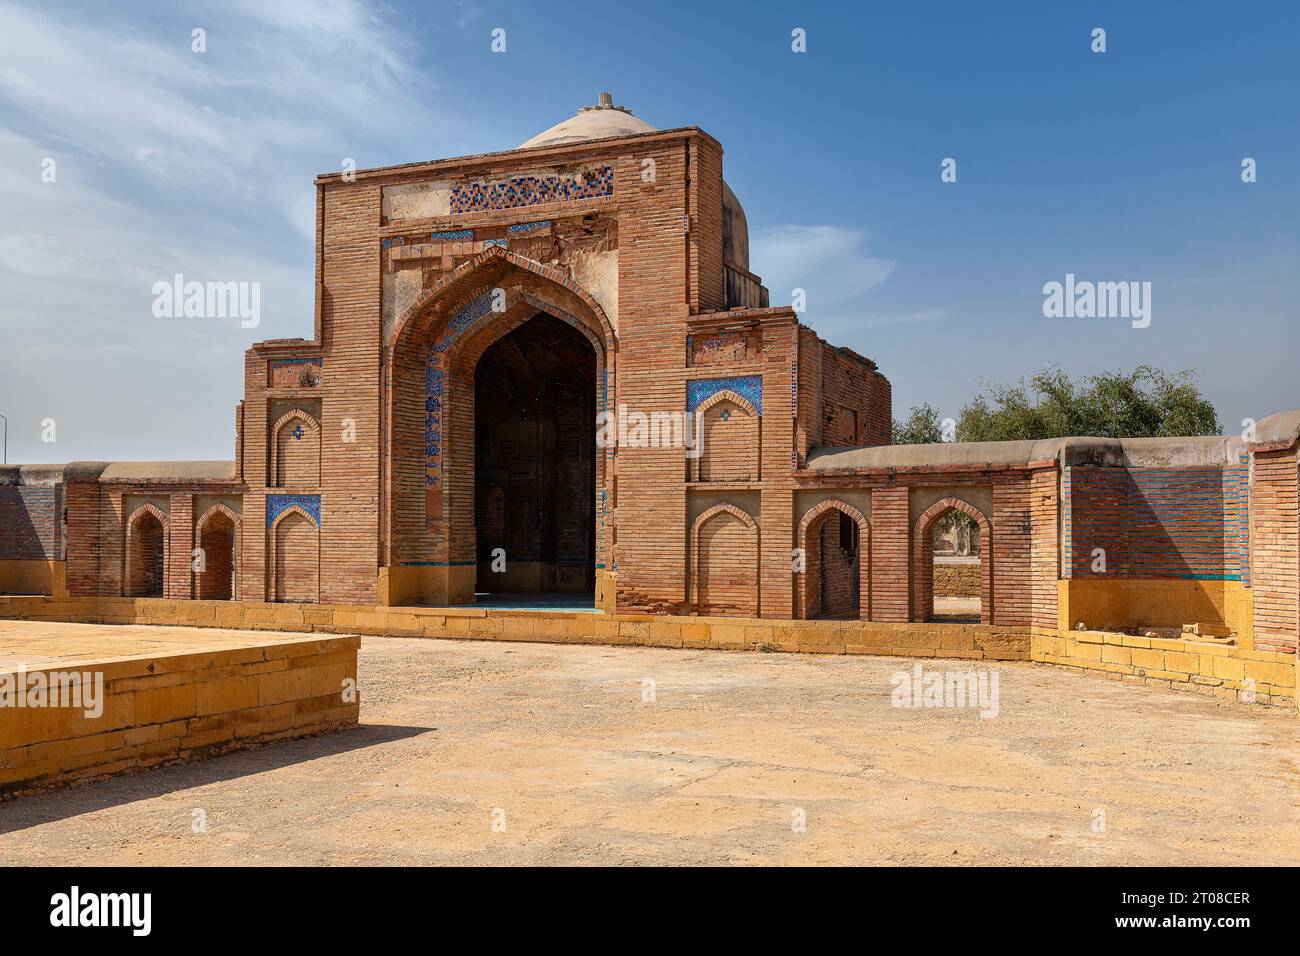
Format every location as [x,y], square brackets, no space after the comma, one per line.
[1117,166]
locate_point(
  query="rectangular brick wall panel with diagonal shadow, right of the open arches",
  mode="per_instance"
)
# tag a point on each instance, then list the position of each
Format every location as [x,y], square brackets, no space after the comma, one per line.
[1188,524]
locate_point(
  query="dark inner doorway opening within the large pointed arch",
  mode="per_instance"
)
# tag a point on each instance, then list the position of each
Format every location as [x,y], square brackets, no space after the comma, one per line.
[535,461]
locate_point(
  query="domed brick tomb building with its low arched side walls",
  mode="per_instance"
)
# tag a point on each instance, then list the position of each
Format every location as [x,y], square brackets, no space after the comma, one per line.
[549,377]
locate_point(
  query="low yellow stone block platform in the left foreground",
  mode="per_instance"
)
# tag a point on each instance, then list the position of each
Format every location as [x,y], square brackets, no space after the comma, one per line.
[102,700]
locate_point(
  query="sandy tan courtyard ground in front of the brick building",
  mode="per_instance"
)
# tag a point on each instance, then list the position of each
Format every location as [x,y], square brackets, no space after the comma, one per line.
[478,752]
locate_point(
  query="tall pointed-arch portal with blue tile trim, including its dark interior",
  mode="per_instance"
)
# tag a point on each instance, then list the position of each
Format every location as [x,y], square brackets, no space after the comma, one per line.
[493,481]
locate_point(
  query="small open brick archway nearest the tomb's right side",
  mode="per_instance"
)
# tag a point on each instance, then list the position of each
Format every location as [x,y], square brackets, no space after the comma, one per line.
[835,539]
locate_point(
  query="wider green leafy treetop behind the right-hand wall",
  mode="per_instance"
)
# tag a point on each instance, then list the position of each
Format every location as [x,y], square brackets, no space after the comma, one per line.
[1143,404]
